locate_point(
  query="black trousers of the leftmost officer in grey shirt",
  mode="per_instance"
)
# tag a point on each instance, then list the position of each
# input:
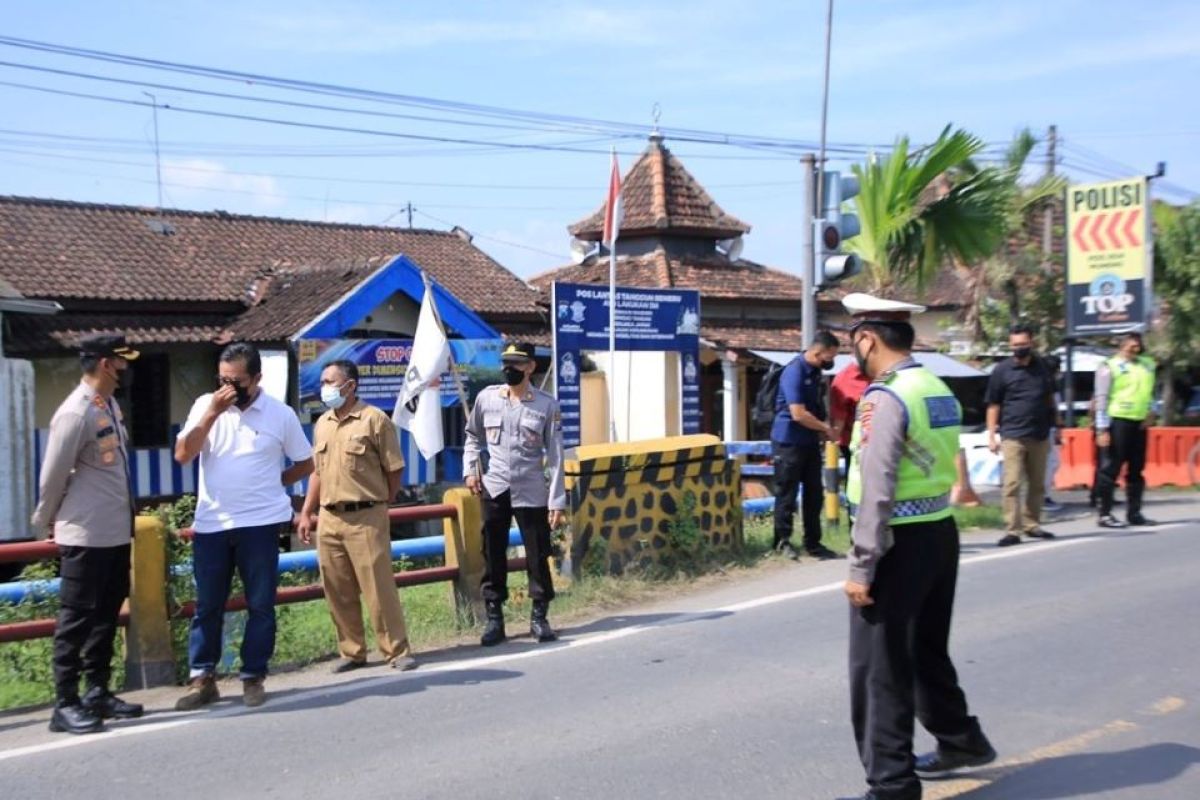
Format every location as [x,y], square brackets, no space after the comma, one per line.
[95,584]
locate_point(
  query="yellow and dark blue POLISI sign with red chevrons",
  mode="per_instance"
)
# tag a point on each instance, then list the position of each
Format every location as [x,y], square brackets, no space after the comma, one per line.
[1108,257]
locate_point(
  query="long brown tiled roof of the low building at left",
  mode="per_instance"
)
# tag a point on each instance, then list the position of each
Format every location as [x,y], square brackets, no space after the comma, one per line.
[63,250]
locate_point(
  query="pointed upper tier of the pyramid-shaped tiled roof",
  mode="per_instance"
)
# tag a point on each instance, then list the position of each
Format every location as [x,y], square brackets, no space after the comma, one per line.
[659,196]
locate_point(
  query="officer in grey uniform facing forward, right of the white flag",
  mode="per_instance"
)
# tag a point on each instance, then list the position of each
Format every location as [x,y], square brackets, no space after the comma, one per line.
[521,429]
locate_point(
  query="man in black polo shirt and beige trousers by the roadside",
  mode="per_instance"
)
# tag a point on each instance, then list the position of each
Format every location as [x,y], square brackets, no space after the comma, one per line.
[1022,410]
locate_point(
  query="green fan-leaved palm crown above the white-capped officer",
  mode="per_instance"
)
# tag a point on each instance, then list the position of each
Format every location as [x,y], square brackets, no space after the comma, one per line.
[922,210]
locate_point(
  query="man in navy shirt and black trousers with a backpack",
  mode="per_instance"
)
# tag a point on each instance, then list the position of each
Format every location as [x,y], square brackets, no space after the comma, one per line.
[796,438]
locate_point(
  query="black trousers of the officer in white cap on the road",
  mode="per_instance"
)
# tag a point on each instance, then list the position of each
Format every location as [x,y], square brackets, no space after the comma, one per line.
[901,667]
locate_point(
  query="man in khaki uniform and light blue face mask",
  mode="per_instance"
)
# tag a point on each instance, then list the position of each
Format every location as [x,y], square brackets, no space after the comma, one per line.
[358,474]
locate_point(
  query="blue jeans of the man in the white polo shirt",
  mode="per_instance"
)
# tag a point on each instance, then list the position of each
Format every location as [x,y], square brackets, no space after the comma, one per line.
[255,552]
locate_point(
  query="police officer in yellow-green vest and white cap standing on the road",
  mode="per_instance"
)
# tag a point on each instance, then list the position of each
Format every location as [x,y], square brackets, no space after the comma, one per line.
[904,561]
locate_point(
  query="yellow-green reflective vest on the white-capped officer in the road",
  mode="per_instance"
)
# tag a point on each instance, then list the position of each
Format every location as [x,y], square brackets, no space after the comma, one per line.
[927,470]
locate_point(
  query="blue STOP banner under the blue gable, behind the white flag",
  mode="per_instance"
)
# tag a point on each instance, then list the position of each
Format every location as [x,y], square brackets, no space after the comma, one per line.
[382,365]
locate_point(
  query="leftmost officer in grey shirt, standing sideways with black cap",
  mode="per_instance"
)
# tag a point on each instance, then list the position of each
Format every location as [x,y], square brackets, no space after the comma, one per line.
[87,504]
